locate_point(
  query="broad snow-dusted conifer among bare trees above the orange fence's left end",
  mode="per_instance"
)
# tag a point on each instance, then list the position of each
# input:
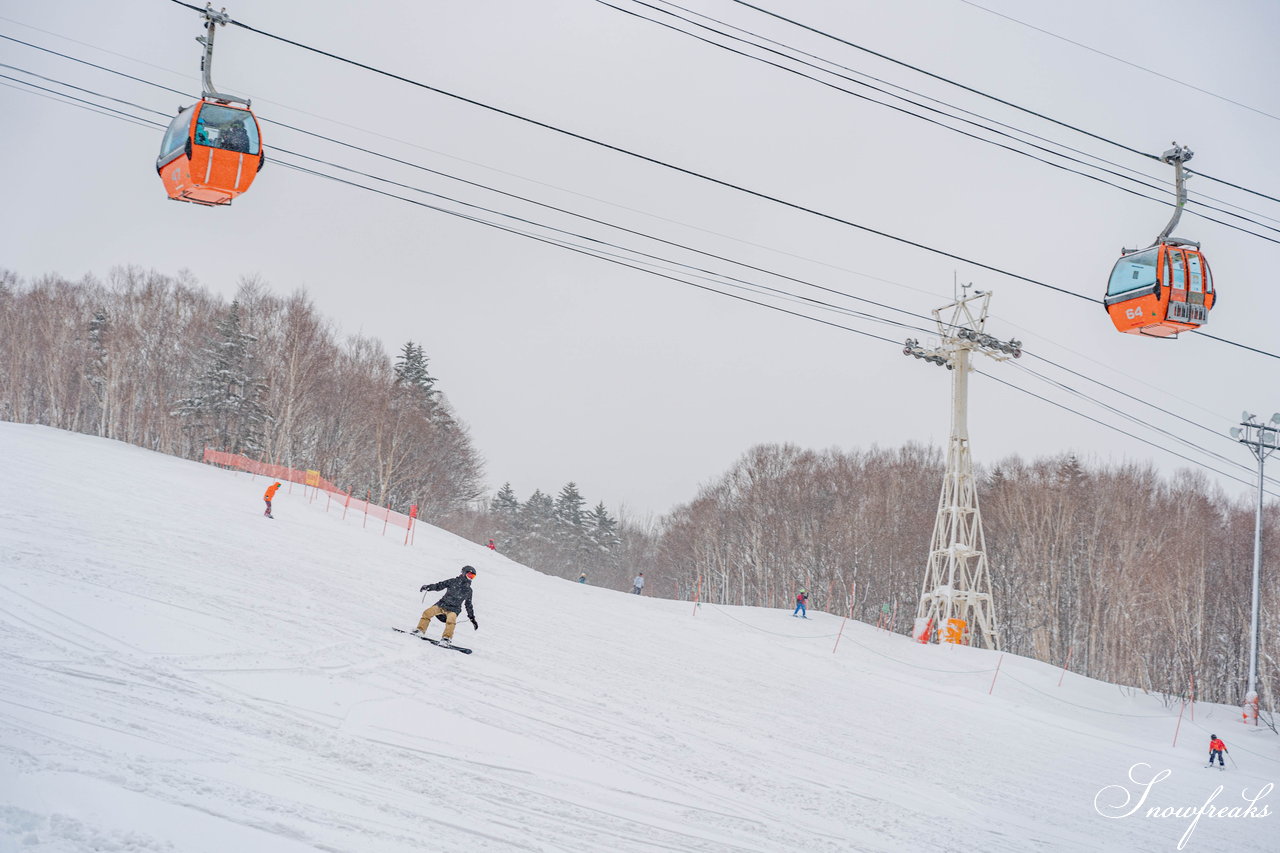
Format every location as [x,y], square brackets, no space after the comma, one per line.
[227,408]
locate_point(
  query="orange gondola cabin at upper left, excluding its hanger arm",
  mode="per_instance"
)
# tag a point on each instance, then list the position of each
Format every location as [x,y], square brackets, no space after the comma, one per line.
[211,154]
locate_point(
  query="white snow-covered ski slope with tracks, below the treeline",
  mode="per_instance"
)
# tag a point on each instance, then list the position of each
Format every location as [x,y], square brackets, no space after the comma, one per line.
[179,673]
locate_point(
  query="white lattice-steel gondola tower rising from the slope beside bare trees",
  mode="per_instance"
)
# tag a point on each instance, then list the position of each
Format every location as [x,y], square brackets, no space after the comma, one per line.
[957,582]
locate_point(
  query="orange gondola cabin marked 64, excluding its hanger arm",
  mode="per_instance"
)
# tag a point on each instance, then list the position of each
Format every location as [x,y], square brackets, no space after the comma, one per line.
[1160,291]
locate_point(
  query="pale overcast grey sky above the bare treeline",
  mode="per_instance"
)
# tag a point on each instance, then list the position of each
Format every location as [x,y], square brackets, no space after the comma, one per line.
[642,389]
